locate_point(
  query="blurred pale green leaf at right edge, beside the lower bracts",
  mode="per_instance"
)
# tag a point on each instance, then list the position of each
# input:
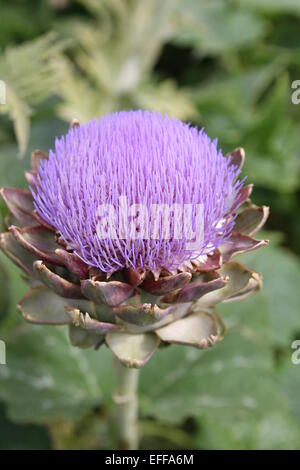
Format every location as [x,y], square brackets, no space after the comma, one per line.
[275,309]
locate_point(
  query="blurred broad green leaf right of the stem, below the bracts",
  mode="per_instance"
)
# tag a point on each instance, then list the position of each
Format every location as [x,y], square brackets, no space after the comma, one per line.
[232,378]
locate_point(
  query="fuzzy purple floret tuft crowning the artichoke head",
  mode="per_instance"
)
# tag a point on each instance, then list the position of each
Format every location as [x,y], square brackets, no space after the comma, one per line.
[150,159]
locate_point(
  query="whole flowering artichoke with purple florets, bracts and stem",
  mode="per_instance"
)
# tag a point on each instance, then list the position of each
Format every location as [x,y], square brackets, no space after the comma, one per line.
[132,293]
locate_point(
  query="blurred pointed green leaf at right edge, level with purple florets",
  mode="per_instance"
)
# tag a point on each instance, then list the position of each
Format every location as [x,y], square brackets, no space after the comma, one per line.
[271,138]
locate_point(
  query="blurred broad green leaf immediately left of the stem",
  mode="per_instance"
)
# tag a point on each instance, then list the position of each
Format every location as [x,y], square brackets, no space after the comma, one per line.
[46,378]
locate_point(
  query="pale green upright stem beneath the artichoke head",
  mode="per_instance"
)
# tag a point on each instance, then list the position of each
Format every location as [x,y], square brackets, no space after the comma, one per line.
[126,399]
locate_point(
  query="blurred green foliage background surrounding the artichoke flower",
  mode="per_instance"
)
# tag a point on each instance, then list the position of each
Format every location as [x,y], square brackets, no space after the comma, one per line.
[227,66]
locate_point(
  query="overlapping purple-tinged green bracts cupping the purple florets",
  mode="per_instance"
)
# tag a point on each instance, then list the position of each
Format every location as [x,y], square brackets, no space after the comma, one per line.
[133,312]
